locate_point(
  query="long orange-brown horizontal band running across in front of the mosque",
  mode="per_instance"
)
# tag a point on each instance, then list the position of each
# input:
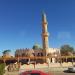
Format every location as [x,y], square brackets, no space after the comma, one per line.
[35,57]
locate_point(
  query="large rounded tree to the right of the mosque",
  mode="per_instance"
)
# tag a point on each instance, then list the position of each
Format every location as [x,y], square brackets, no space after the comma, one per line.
[66,50]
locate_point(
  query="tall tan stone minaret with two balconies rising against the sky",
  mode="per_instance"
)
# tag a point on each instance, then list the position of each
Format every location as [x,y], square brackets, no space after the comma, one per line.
[45,34]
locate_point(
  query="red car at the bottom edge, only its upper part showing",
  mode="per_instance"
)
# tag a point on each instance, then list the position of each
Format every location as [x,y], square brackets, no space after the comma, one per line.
[34,72]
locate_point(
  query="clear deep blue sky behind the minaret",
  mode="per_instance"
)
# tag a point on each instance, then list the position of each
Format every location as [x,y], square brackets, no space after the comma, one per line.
[21,23]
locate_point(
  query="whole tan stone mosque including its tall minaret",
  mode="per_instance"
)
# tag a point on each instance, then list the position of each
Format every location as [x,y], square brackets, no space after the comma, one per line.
[45,45]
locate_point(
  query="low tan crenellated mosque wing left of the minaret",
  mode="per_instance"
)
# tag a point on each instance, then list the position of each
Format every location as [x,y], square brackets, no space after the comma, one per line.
[28,53]
